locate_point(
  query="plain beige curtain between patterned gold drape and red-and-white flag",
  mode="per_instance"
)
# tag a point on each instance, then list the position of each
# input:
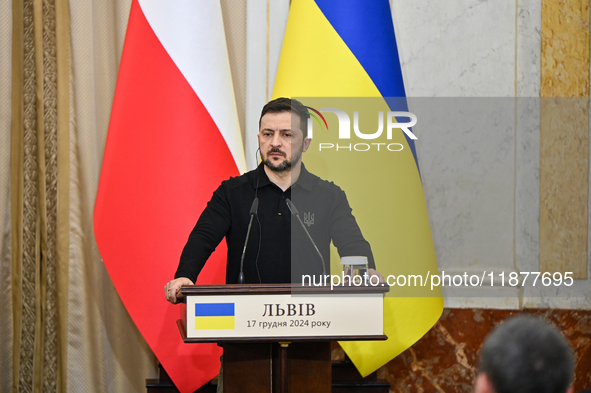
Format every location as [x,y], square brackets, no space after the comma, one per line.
[106,352]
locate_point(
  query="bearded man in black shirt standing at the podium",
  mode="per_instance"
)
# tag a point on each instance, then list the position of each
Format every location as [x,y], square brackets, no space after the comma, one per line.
[259,214]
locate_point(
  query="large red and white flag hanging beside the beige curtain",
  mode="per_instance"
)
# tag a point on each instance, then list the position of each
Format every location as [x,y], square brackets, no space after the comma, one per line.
[173,137]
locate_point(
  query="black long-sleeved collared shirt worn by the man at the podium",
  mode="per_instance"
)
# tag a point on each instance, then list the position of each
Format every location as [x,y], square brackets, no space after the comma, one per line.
[278,249]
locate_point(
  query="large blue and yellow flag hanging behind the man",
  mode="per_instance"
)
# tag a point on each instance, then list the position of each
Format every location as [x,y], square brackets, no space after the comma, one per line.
[347,48]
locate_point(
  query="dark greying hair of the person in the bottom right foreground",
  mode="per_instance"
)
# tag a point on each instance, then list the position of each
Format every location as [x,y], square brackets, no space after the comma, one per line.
[527,355]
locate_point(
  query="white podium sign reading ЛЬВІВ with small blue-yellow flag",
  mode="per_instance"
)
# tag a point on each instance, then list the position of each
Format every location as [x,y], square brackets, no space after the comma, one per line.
[281,313]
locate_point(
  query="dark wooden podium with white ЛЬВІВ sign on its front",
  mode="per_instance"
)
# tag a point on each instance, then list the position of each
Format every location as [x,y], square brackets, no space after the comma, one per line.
[276,337]
